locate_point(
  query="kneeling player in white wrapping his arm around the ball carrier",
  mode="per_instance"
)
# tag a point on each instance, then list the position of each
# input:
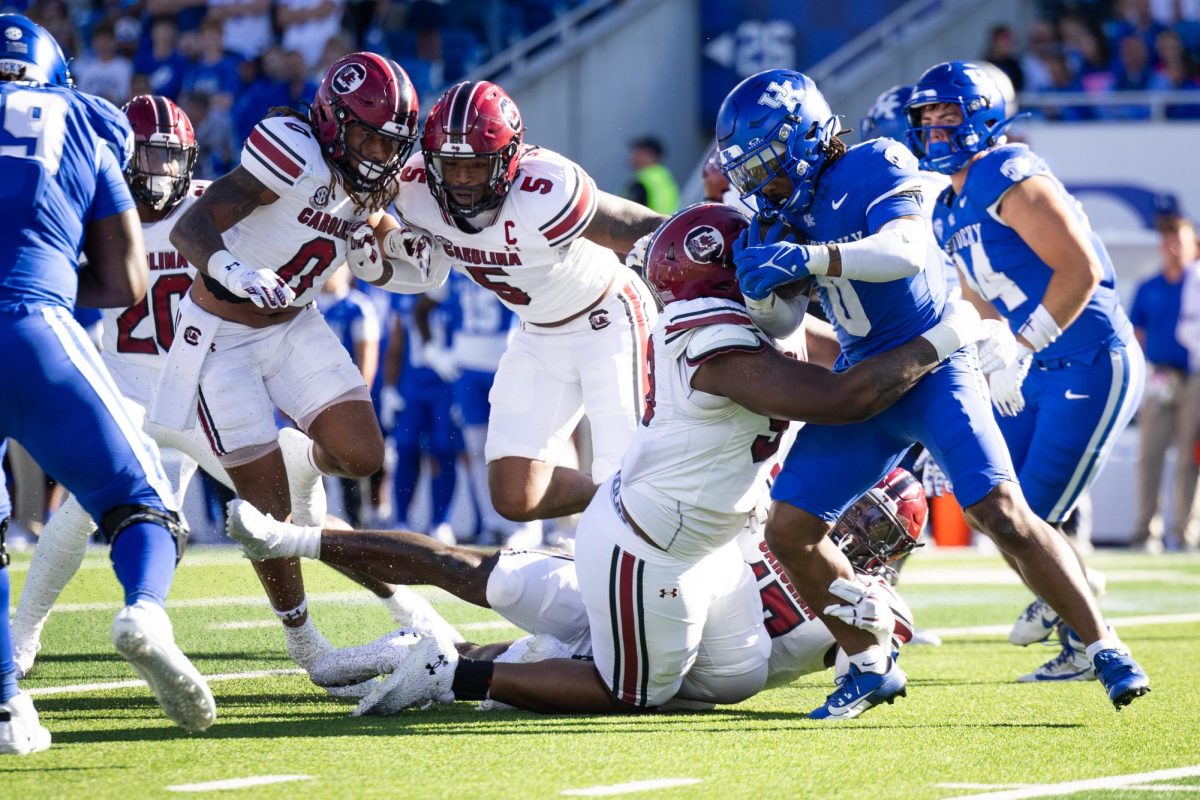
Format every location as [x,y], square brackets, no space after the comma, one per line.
[670,601]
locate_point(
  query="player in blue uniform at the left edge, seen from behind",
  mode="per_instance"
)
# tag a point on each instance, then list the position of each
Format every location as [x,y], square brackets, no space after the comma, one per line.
[64,191]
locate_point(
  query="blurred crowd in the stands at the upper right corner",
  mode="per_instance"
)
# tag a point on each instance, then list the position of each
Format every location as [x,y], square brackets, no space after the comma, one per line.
[1101,49]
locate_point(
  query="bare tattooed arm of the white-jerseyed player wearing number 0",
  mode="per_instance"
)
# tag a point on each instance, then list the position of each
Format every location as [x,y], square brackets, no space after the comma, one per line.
[227,202]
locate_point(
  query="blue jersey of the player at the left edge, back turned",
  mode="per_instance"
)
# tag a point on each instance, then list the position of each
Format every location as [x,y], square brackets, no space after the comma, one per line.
[58,177]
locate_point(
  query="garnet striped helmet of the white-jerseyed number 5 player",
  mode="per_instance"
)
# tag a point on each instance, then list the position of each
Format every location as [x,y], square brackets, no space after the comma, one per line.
[475,119]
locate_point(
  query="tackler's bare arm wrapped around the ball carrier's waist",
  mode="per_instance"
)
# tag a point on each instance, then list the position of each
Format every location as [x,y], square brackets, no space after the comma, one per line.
[771,384]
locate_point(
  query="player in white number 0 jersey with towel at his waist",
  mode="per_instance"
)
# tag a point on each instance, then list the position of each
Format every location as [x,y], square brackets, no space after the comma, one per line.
[265,239]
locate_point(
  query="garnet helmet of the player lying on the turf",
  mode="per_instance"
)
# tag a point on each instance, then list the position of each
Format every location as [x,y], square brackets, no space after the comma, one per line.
[884,525]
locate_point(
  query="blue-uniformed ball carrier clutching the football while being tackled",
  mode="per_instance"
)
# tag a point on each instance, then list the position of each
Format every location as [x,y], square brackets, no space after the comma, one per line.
[855,216]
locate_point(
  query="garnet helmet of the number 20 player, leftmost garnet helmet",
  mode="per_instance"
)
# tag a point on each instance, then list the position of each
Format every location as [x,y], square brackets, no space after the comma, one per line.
[164,152]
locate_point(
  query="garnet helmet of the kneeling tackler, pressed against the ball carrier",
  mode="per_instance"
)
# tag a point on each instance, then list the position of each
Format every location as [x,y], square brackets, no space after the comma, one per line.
[692,255]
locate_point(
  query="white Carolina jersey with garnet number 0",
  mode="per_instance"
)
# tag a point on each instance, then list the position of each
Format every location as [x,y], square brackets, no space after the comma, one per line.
[303,234]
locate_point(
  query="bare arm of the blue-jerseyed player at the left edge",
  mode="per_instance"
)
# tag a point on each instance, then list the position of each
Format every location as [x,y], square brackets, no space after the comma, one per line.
[116,273]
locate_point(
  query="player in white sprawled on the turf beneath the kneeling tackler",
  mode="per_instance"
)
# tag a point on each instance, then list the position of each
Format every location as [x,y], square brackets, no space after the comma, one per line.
[538,591]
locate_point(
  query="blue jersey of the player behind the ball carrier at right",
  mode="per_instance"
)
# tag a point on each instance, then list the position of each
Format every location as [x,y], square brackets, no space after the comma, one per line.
[1005,270]
